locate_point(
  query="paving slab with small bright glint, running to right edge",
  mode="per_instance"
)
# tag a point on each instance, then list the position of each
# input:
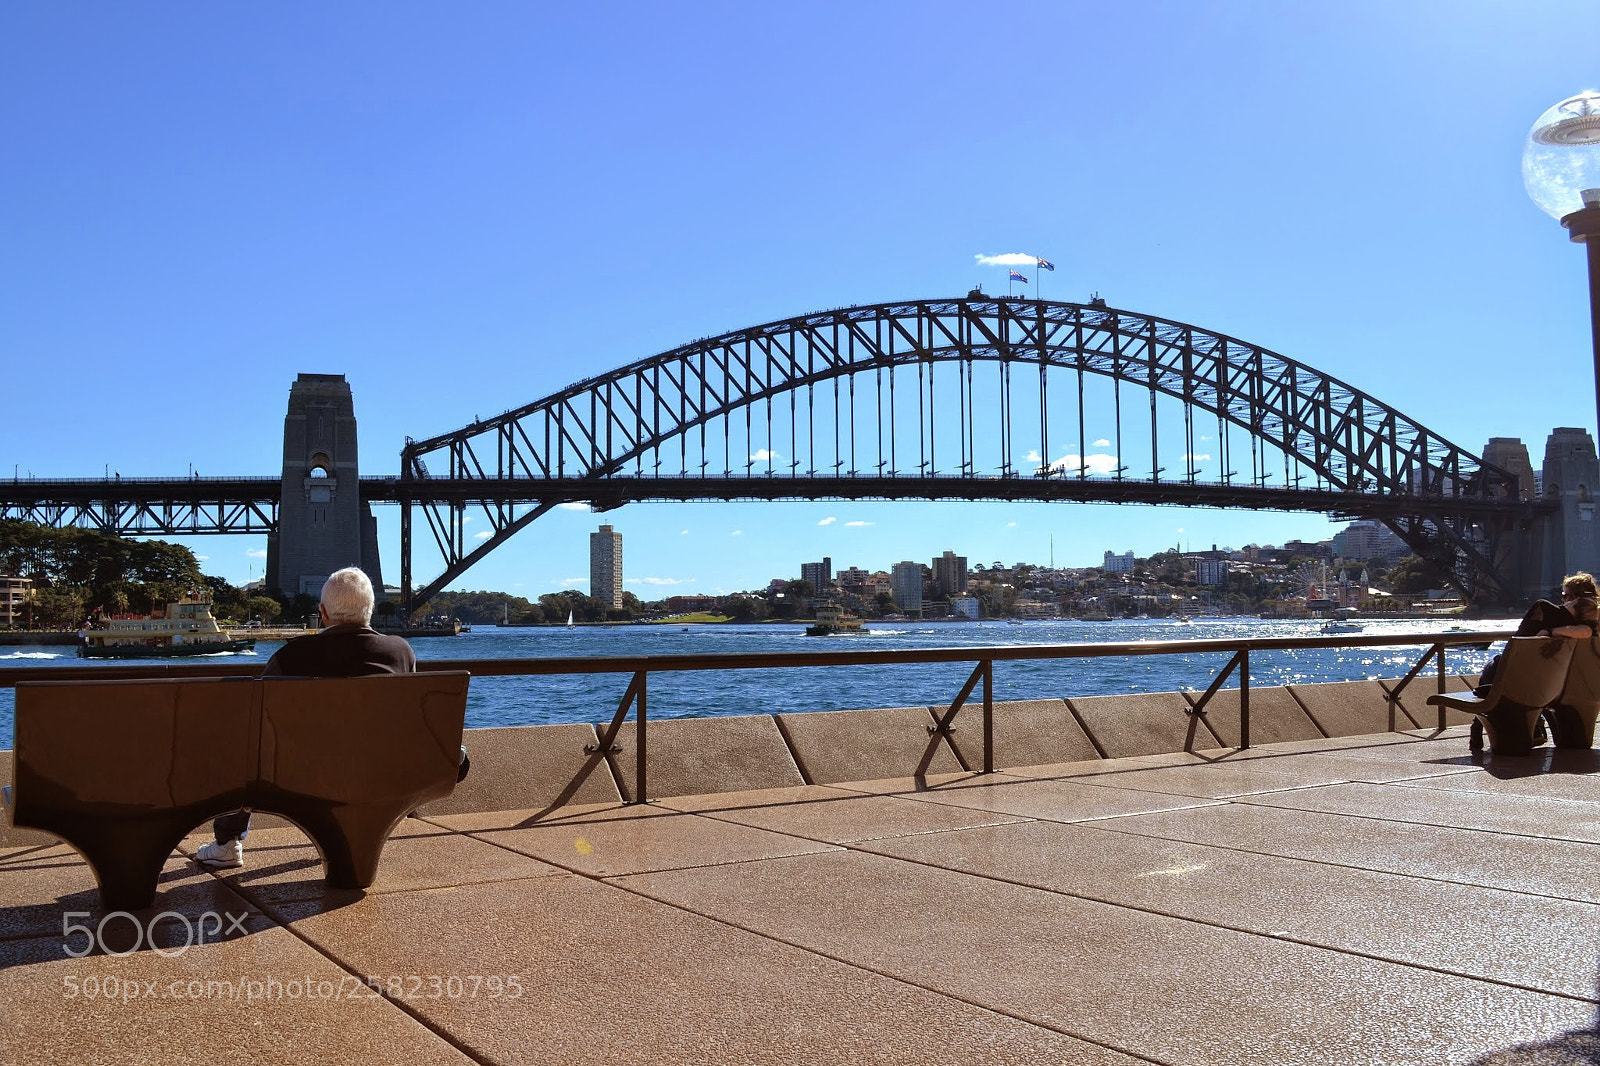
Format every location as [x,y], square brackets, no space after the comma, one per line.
[1534,942]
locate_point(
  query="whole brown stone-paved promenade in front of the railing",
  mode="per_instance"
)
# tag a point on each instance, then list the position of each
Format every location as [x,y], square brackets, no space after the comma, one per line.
[1364,900]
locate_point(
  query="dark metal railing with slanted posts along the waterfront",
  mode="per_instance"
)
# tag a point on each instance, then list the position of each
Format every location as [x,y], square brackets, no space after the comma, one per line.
[983,660]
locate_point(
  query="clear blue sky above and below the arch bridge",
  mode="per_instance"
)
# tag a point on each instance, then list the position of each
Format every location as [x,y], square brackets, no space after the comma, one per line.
[465,209]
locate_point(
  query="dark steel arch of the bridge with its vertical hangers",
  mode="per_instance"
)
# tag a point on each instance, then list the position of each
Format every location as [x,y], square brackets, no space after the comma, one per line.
[1364,457]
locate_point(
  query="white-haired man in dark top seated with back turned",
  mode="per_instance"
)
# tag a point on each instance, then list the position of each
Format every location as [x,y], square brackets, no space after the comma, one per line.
[346,647]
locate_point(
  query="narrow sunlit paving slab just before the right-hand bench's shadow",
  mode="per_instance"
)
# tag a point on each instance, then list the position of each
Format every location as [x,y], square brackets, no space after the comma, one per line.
[1527,816]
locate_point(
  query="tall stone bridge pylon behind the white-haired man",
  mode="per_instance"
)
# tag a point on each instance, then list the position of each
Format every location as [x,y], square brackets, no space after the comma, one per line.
[324,526]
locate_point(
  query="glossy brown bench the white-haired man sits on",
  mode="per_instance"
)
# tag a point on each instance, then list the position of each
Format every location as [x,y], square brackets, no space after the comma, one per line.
[124,771]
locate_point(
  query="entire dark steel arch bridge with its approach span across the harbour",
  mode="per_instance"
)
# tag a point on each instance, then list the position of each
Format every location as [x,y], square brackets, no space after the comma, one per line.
[980,398]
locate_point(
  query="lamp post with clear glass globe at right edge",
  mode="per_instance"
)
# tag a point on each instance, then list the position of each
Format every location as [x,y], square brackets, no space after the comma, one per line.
[1561,169]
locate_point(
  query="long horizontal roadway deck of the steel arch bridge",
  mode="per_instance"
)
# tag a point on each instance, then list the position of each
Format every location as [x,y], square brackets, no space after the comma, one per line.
[249,505]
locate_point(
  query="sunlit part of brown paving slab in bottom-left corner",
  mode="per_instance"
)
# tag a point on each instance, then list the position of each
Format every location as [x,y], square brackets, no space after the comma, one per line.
[170,1020]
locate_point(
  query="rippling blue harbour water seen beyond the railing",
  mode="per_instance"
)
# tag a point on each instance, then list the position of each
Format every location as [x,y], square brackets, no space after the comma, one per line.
[705,694]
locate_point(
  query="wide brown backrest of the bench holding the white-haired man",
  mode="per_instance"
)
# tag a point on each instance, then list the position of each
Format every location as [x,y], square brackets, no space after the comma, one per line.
[217,745]
